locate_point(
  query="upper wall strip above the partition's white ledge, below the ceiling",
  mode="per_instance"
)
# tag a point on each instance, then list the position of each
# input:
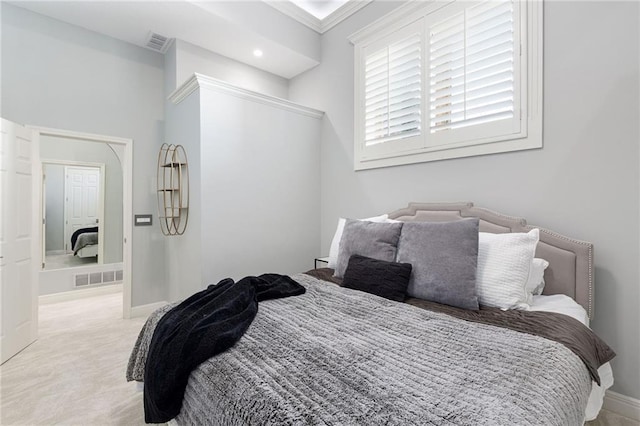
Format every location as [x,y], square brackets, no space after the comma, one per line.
[185,59]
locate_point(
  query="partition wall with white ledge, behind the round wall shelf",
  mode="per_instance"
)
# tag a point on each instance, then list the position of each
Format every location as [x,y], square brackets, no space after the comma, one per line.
[254,181]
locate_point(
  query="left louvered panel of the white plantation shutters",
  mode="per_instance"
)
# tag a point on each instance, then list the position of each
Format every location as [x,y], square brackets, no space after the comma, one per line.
[392,91]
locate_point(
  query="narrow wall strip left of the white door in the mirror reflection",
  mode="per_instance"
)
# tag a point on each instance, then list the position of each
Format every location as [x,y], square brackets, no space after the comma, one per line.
[54,213]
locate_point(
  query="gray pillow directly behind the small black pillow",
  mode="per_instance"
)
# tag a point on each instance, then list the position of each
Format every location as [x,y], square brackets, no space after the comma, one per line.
[371,239]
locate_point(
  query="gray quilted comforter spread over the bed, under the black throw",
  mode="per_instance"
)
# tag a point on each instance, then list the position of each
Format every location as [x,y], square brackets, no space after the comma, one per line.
[335,356]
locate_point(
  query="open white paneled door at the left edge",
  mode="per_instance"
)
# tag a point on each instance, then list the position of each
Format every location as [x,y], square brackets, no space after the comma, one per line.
[18,277]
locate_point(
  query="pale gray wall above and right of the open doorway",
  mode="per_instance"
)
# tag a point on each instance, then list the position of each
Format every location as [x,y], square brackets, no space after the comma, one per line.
[62,76]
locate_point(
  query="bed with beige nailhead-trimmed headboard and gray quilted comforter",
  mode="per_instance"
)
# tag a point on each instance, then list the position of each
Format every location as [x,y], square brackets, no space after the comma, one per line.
[336,355]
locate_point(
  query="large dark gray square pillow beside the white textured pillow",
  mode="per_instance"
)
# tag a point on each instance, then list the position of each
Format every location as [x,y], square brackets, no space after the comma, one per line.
[444,256]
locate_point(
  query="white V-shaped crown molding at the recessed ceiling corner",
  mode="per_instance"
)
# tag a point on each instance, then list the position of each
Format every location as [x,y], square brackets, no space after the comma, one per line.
[318,25]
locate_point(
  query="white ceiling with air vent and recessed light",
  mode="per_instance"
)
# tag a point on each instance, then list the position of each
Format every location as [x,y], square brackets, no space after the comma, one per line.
[220,27]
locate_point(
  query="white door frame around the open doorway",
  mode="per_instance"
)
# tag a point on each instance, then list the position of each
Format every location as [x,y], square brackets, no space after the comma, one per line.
[126,161]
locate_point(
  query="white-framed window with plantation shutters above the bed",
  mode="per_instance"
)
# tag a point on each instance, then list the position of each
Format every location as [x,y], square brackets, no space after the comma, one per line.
[448,80]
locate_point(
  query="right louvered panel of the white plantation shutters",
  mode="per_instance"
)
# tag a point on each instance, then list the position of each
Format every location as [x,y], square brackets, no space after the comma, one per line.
[472,71]
